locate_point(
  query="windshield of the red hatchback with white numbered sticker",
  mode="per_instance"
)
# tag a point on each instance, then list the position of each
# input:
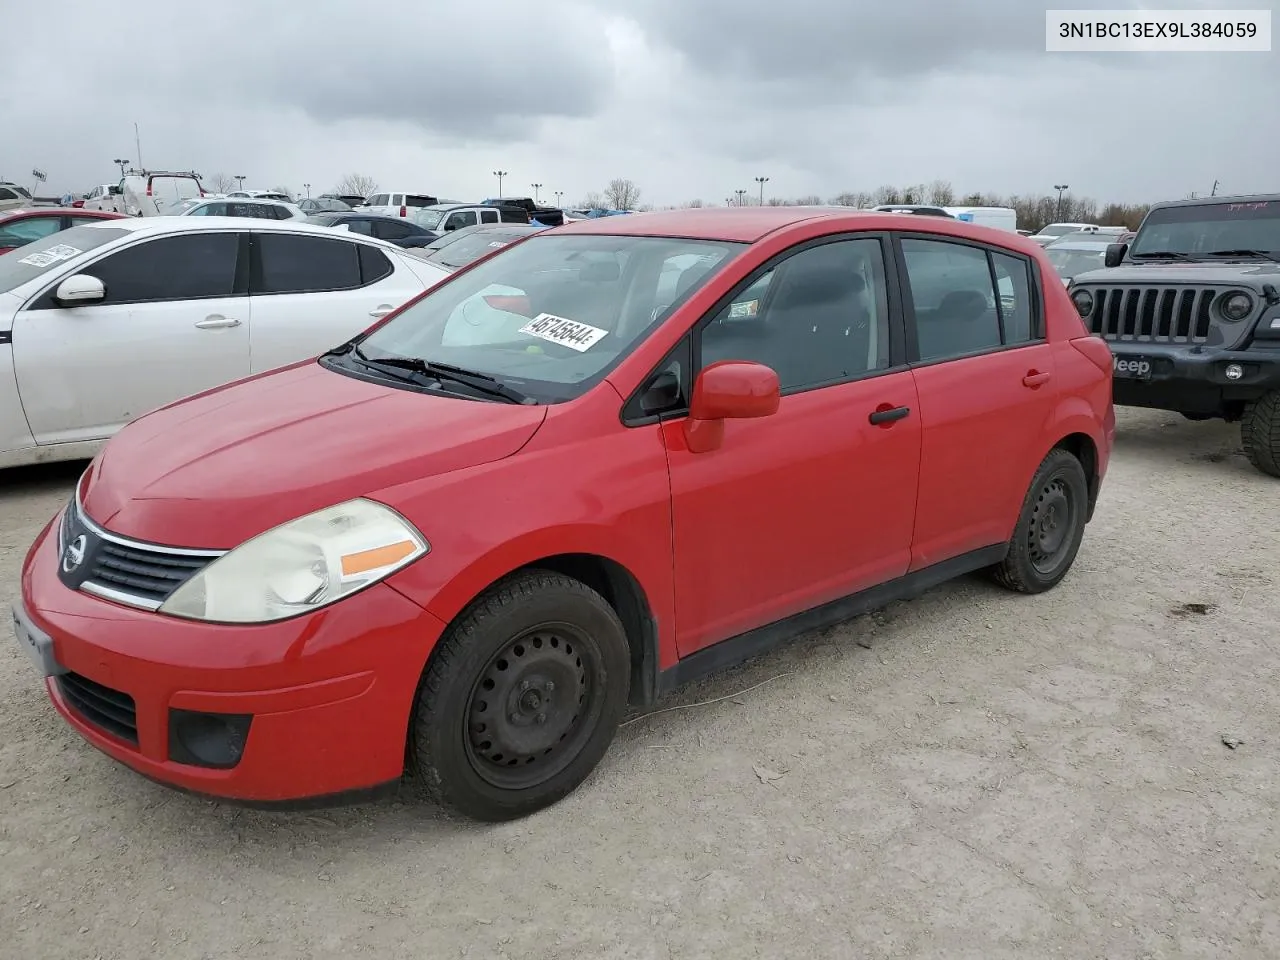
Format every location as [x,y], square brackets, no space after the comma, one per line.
[552,316]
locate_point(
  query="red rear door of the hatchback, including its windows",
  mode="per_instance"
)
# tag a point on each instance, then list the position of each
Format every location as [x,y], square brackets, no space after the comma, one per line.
[985,377]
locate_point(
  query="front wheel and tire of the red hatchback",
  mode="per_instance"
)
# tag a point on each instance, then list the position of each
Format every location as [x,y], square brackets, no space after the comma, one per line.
[497,733]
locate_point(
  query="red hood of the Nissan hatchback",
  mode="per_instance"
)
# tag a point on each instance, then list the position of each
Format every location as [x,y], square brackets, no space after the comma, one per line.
[213,470]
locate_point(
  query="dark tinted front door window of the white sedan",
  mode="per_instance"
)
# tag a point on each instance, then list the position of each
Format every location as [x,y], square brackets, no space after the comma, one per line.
[188,267]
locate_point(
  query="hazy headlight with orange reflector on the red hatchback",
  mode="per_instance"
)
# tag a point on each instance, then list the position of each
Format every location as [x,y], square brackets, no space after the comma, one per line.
[301,566]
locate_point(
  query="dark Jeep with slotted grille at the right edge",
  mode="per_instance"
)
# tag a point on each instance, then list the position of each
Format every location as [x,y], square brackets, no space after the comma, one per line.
[1191,309]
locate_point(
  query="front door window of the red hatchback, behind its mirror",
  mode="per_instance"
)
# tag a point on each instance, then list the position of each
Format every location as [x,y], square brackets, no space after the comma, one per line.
[817,318]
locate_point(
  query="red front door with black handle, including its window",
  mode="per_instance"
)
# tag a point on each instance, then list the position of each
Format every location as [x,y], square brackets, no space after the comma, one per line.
[817,501]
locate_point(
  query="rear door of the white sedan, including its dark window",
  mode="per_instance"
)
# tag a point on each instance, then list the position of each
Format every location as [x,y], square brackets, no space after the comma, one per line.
[310,294]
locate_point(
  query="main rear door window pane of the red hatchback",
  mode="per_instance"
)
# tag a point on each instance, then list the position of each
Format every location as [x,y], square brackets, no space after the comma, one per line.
[953,298]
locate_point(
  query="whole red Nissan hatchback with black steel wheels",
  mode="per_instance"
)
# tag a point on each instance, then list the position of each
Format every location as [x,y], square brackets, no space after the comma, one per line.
[582,472]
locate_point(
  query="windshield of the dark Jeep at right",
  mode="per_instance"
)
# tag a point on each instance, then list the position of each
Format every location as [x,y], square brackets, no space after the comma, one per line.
[1199,230]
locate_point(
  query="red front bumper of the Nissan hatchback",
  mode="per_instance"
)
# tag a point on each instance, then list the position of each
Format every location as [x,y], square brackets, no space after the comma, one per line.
[328,696]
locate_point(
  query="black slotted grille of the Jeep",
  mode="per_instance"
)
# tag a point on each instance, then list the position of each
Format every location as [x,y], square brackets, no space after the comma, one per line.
[1153,314]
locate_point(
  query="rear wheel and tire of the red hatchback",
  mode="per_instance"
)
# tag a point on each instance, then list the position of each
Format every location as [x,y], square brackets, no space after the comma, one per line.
[1045,542]
